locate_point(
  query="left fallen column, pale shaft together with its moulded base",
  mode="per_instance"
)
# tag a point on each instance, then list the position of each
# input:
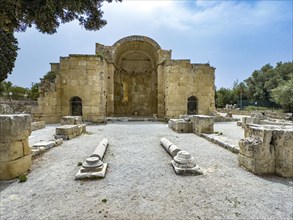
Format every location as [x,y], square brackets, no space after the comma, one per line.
[94,167]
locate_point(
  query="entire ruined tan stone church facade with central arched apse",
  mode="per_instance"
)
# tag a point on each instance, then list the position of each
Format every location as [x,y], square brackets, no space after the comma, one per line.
[133,77]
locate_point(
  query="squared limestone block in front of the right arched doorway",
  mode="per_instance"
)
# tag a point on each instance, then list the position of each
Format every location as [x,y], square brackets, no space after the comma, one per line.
[203,124]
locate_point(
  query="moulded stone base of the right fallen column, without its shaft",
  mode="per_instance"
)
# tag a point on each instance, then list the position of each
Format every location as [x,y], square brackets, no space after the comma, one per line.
[184,164]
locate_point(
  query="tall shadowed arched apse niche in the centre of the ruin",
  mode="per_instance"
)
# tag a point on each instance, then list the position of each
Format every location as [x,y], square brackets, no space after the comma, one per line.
[135,77]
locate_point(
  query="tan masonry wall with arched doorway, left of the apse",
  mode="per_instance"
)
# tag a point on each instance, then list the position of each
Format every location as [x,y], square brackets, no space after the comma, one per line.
[84,76]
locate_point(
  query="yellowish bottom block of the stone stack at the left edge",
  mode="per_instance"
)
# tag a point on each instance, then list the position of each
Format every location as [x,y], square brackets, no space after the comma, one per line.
[14,168]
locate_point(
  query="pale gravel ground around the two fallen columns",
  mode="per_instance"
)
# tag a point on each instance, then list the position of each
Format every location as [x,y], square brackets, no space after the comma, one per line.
[140,182]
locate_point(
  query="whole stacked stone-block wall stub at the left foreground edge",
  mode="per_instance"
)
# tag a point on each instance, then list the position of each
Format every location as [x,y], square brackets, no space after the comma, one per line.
[15,154]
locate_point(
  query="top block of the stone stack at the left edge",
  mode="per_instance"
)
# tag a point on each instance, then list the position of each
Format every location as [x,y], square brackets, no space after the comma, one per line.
[14,127]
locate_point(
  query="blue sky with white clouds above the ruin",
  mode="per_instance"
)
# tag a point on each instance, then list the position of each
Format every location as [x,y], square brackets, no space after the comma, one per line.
[236,37]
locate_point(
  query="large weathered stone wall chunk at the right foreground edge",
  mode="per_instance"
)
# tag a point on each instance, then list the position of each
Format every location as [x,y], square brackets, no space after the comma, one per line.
[267,150]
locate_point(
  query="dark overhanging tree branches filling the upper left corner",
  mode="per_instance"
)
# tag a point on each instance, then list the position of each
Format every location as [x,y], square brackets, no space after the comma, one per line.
[46,16]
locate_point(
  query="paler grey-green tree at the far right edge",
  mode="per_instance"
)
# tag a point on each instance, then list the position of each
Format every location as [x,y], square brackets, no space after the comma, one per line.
[283,94]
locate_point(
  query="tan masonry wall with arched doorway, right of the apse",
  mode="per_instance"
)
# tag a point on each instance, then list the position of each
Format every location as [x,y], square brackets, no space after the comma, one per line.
[182,80]
